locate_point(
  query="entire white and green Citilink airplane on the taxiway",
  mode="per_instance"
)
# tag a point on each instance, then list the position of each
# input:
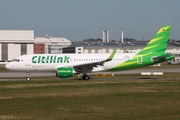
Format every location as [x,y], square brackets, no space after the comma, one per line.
[67,65]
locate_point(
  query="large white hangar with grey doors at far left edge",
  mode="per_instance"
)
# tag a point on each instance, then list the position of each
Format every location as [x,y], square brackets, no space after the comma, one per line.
[14,43]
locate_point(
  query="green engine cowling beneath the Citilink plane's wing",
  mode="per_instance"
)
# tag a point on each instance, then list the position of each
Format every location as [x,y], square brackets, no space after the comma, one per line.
[64,72]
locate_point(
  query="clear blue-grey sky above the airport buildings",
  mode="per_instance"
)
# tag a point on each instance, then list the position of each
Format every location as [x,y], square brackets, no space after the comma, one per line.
[82,19]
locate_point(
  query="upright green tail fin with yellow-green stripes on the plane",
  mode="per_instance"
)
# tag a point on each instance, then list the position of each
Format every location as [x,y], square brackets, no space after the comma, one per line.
[157,45]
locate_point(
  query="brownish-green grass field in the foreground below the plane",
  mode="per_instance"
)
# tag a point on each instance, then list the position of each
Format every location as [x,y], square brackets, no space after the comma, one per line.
[101,98]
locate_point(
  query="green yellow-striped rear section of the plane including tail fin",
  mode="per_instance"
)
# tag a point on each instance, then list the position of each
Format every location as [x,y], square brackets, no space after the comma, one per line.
[156,47]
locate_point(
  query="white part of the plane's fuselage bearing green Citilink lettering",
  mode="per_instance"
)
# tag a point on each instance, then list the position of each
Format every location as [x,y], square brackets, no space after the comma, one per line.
[50,62]
